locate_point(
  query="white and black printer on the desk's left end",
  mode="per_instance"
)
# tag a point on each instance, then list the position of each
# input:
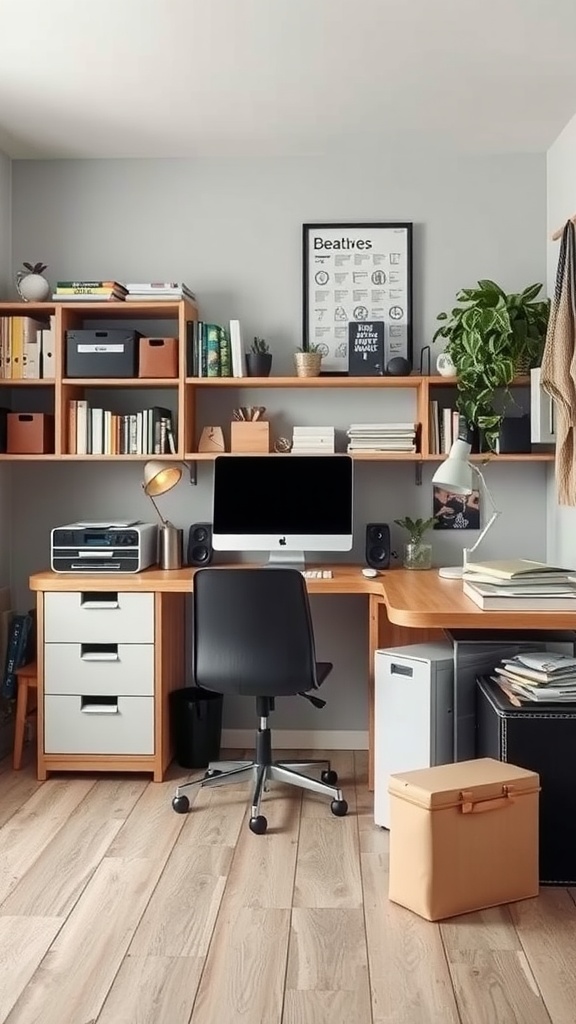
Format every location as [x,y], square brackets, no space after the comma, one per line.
[104,547]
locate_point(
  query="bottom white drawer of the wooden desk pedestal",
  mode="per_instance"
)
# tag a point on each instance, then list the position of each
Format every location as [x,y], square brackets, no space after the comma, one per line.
[88,726]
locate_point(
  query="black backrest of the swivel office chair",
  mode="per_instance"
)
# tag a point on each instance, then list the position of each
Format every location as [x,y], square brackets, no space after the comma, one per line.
[253,632]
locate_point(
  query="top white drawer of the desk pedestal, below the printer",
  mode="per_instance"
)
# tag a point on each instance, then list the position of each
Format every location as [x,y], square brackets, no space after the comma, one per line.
[88,617]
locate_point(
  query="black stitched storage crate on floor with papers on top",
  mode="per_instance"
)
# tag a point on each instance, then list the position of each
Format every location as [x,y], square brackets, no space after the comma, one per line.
[542,738]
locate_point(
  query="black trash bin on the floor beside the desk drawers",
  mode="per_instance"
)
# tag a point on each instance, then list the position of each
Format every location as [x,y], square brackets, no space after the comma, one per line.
[196,718]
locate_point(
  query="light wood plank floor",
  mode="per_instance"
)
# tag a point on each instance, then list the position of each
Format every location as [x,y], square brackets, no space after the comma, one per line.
[115,910]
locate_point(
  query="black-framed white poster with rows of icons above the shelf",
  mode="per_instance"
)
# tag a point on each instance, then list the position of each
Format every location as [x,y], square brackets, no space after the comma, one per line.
[357,274]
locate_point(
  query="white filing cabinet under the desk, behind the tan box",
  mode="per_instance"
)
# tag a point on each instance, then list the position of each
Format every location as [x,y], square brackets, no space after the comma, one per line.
[414,714]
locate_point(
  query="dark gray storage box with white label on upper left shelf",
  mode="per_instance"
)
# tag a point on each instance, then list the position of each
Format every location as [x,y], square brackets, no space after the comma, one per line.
[102,354]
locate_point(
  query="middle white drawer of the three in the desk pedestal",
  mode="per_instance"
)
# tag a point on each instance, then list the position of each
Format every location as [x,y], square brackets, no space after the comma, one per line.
[109,670]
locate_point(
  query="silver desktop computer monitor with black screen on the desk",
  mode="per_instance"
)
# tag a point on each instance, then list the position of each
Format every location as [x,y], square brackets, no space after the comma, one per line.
[286,505]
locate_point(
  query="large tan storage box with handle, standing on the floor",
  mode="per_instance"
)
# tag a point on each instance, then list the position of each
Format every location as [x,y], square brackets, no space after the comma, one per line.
[464,837]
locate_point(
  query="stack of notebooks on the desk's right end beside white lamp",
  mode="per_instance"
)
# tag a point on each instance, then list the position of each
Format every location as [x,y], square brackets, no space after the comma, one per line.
[520,585]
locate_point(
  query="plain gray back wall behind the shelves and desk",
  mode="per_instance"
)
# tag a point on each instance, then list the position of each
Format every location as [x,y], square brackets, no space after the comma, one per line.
[233,232]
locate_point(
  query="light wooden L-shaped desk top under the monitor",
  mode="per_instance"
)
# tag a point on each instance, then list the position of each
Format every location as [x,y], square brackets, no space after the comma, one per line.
[415,600]
